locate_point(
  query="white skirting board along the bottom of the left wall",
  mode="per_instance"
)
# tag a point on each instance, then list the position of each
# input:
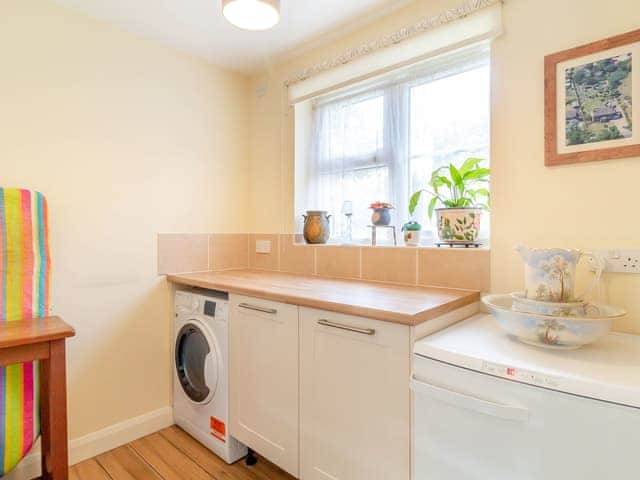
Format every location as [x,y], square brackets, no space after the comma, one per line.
[98,442]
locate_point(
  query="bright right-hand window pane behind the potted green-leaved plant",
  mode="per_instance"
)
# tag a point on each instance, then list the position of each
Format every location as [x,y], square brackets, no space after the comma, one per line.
[449,123]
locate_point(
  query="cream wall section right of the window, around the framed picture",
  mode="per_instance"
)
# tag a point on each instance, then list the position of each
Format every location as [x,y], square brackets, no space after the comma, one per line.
[585,206]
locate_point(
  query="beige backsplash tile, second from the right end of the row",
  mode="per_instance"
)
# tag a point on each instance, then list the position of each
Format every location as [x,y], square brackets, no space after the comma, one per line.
[390,264]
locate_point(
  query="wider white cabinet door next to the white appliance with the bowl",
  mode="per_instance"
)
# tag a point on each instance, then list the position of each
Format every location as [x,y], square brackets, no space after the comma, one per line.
[355,399]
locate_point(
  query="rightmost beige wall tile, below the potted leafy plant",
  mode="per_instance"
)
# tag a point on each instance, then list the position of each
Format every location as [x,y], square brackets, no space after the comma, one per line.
[457,268]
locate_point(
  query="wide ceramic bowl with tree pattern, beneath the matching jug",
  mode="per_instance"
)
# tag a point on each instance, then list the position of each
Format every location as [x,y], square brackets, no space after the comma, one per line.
[552,331]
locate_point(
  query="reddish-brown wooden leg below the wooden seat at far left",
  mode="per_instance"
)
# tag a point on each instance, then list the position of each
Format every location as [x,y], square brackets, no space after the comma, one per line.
[53,398]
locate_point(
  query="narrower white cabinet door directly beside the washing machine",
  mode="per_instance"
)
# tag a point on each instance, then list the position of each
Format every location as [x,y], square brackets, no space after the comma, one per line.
[264,379]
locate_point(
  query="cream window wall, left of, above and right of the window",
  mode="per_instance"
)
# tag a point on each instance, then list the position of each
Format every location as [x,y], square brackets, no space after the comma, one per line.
[576,206]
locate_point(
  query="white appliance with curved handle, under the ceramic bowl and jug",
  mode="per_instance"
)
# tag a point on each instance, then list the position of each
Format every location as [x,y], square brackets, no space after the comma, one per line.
[487,407]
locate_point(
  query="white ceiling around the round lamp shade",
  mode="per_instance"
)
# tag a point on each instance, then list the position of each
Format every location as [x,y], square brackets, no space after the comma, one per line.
[198,27]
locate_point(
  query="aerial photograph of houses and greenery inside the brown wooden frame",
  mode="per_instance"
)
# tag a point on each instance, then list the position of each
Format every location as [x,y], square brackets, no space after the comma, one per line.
[598,101]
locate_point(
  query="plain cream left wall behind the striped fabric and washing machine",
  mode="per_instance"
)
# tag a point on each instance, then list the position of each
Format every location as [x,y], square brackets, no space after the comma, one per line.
[126,139]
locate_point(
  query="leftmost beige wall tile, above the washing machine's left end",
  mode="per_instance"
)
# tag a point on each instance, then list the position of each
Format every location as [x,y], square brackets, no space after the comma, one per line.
[181,253]
